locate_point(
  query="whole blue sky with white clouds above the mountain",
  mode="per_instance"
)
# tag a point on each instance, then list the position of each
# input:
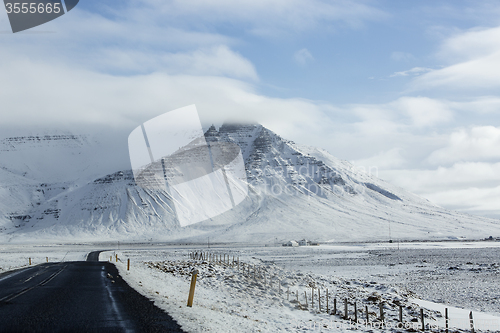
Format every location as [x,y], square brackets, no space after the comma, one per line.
[409,87]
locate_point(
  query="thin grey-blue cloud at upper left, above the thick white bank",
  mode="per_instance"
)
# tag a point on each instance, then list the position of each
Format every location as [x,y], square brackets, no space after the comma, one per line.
[128,47]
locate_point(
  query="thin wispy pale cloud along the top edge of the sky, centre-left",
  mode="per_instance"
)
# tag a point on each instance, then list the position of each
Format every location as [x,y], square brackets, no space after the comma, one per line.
[260,17]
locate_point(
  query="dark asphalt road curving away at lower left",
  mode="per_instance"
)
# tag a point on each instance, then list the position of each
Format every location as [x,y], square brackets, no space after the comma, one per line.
[80,296]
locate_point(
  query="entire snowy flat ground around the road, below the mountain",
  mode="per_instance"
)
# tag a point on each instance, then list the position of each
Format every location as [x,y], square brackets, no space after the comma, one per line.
[229,298]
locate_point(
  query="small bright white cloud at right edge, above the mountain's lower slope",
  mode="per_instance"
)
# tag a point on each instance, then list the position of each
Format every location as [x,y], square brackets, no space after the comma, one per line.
[478,143]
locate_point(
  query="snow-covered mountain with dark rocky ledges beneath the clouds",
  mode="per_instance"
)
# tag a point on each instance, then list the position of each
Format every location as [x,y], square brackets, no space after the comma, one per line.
[295,192]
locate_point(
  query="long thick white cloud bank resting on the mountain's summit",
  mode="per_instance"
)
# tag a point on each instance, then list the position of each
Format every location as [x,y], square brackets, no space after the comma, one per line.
[61,95]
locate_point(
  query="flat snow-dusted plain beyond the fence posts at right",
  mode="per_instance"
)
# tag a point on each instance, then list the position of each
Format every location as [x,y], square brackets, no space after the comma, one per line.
[465,276]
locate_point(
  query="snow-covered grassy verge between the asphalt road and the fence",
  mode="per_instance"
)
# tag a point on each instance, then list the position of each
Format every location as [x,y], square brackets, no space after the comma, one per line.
[229,299]
